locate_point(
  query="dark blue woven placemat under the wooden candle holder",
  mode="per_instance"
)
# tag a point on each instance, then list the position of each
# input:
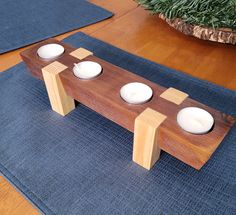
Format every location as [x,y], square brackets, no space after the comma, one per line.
[82,163]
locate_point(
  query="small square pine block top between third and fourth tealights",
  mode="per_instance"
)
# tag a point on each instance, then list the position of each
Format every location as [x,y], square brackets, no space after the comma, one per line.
[174,95]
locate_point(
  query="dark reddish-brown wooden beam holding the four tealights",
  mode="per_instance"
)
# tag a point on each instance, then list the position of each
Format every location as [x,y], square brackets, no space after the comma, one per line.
[102,95]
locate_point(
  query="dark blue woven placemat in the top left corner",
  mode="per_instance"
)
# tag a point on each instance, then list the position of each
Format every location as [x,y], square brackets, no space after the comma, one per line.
[29,21]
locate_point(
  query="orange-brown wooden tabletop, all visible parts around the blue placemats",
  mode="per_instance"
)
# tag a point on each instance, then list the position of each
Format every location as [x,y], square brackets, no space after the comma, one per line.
[134,30]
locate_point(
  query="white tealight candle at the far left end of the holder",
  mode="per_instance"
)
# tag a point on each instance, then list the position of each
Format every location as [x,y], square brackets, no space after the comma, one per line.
[50,51]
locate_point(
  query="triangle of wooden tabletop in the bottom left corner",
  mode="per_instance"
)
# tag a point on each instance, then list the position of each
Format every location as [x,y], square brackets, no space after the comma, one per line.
[12,202]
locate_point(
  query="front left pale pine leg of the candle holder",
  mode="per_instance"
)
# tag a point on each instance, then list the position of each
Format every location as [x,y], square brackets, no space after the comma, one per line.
[60,101]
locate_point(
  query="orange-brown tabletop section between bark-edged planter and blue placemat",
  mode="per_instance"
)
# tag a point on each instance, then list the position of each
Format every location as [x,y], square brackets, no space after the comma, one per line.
[150,37]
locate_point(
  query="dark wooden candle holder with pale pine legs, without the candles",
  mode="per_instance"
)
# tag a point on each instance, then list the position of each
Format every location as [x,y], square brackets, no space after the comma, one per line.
[153,123]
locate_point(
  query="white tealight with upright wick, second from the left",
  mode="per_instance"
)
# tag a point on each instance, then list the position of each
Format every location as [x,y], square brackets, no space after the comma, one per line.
[87,70]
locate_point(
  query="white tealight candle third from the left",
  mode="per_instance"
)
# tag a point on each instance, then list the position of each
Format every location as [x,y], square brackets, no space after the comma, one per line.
[136,93]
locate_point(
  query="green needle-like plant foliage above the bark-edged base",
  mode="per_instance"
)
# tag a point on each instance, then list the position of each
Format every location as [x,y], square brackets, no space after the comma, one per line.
[208,13]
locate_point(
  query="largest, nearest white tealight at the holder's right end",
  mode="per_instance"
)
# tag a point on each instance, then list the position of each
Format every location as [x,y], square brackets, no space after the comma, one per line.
[195,120]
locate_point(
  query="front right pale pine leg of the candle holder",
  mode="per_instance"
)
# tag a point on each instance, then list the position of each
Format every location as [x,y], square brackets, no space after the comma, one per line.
[146,150]
